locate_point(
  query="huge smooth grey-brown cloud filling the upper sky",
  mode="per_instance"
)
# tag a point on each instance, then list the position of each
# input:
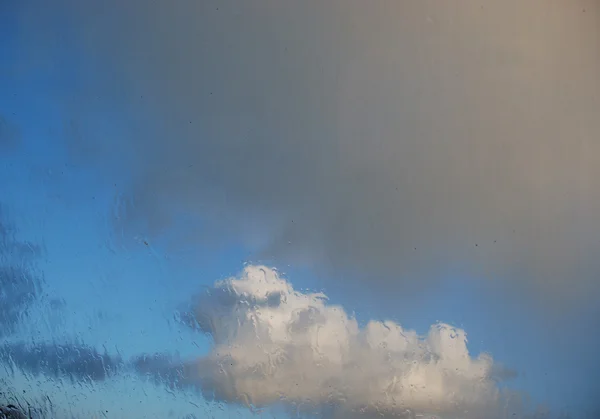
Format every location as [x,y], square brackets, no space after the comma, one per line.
[397,142]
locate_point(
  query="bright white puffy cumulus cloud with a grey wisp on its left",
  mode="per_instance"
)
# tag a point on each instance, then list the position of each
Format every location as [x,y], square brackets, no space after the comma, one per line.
[275,345]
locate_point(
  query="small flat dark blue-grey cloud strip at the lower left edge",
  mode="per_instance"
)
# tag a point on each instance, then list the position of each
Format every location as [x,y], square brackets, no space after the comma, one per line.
[76,361]
